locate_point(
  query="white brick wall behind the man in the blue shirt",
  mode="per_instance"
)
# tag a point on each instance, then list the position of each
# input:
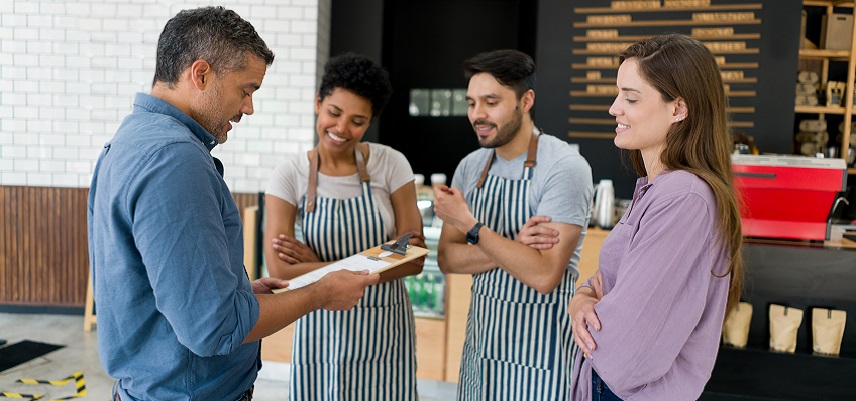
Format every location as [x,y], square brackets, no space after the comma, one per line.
[69,72]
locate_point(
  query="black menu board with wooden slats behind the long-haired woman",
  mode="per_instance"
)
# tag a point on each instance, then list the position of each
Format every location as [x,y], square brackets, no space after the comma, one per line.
[755,45]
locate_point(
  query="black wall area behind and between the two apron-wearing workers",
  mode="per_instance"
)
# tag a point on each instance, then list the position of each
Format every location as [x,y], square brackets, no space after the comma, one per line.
[425,43]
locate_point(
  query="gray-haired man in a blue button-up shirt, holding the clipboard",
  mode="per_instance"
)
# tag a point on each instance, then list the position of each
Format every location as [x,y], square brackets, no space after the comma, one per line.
[178,317]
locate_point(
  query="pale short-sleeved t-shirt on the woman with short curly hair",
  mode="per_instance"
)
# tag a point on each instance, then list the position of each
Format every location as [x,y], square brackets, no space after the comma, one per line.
[388,168]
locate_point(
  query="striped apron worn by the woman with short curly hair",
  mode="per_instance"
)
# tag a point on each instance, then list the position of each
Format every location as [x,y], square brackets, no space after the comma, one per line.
[368,352]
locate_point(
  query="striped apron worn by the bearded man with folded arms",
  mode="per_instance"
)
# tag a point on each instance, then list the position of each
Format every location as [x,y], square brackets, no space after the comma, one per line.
[518,343]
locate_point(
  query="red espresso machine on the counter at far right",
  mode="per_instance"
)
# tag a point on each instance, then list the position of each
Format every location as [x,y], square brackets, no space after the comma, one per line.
[788,197]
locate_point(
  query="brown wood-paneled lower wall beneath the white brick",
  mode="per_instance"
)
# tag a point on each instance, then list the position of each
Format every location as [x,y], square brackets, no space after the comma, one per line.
[44,255]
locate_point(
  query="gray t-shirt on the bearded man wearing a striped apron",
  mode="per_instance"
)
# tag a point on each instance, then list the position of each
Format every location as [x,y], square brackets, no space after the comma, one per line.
[561,184]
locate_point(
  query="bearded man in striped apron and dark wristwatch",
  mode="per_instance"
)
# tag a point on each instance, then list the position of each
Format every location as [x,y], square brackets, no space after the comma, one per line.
[518,344]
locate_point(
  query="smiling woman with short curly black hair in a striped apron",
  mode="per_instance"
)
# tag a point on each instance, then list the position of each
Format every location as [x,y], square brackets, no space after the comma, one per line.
[347,196]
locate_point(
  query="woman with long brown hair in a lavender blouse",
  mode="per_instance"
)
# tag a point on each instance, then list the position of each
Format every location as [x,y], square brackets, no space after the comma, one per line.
[648,323]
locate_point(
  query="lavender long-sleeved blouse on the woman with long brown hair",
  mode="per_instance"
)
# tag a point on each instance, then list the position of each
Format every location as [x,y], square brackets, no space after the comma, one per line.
[662,312]
